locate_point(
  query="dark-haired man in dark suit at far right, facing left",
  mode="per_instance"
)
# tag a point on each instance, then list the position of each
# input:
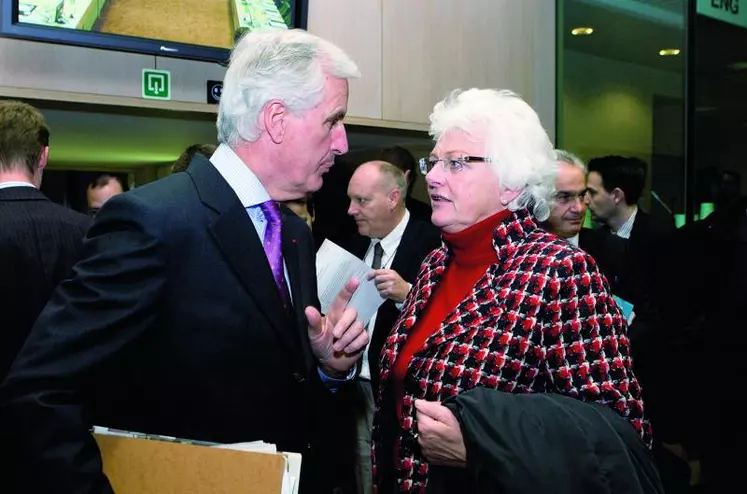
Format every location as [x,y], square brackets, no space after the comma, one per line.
[615,185]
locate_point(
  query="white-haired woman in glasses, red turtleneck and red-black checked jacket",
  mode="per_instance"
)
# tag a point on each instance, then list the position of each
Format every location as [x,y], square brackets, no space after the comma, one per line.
[509,337]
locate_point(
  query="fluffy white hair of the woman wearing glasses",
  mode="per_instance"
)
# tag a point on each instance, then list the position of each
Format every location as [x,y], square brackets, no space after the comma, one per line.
[517,145]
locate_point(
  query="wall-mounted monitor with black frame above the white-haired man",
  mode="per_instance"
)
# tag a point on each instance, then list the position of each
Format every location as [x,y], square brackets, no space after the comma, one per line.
[195,29]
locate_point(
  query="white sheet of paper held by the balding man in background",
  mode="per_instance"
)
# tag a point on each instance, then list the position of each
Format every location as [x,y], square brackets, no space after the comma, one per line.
[334,267]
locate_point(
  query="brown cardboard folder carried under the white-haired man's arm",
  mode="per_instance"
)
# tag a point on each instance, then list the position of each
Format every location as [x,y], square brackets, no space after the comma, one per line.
[143,466]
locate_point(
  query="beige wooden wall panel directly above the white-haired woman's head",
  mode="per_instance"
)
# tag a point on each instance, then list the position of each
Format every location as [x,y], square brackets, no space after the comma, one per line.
[433,46]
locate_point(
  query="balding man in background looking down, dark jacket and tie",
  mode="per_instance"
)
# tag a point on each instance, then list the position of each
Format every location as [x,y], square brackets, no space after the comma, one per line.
[394,244]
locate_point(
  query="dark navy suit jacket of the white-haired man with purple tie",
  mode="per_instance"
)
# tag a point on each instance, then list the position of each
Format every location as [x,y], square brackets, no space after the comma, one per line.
[171,325]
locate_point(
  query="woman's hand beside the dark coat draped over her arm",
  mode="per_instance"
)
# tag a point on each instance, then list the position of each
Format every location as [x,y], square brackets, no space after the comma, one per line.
[439,434]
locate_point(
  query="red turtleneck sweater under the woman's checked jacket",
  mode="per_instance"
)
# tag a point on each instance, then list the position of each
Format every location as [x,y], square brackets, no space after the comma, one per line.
[472,253]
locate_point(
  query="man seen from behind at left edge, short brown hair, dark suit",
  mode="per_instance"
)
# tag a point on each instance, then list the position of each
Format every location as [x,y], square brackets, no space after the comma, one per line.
[39,240]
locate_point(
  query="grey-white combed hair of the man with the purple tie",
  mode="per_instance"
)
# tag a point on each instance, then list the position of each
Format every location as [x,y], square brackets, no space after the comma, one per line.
[285,65]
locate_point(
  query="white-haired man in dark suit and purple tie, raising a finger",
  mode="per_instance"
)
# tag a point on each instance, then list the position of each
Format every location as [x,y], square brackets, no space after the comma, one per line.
[194,312]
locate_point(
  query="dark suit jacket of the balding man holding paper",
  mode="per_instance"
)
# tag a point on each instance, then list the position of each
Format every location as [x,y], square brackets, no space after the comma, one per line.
[418,240]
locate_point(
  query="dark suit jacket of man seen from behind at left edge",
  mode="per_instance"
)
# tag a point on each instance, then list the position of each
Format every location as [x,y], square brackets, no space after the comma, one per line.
[39,243]
